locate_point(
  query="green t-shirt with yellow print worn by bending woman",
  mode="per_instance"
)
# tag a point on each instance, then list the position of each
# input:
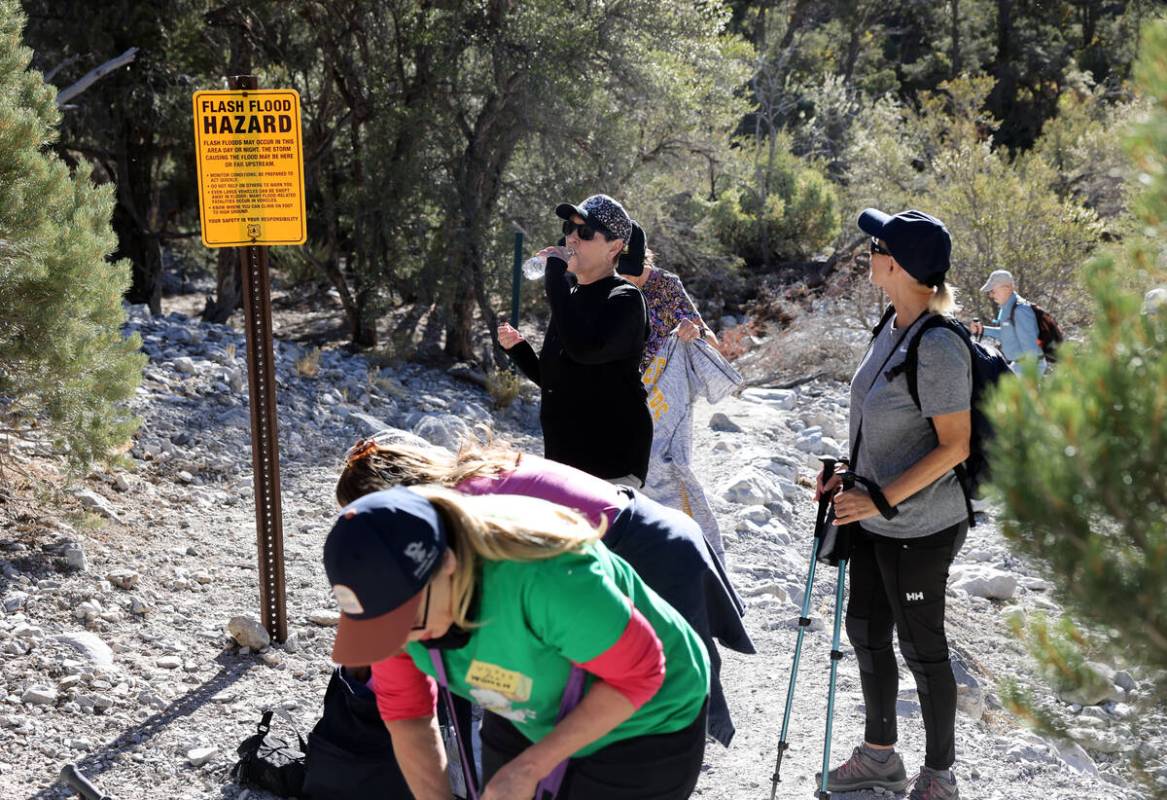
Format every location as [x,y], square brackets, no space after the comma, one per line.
[539,617]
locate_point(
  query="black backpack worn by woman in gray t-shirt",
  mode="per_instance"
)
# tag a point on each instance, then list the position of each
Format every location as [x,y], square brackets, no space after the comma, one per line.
[988,368]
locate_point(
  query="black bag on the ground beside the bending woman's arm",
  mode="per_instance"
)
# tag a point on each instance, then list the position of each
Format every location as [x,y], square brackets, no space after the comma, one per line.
[351,753]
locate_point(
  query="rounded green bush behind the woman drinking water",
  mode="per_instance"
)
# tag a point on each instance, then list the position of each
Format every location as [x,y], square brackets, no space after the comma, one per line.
[792,215]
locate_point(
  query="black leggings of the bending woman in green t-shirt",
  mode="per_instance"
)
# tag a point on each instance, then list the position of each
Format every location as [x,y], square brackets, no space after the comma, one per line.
[662,767]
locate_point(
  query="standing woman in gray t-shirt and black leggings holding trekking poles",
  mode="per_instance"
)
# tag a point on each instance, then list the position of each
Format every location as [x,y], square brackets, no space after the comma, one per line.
[900,562]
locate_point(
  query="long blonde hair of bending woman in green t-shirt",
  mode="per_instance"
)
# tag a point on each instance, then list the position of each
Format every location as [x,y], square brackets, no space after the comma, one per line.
[502,528]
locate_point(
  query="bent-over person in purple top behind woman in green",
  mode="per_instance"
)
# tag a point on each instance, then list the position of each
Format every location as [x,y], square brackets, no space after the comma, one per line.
[665,546]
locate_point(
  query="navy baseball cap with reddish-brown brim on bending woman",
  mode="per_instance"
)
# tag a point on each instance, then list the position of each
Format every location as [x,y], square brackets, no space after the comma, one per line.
[380,557]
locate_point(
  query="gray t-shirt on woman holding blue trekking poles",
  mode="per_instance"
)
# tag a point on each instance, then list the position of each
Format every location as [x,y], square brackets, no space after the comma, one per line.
[897,434]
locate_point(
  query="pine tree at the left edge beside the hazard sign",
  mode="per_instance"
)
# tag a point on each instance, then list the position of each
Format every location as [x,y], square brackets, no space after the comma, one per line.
[65,366]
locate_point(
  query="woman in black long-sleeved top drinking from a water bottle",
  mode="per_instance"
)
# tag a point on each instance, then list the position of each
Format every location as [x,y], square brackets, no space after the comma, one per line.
[593,413]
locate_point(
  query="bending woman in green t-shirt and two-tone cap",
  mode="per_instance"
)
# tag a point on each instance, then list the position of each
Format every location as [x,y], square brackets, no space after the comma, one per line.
[508,601]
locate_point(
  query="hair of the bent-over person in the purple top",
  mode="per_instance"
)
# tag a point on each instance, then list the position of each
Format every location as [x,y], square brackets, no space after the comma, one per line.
[397,465]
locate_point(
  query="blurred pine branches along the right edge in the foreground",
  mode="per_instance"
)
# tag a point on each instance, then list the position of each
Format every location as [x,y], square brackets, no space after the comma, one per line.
[1079,459]
